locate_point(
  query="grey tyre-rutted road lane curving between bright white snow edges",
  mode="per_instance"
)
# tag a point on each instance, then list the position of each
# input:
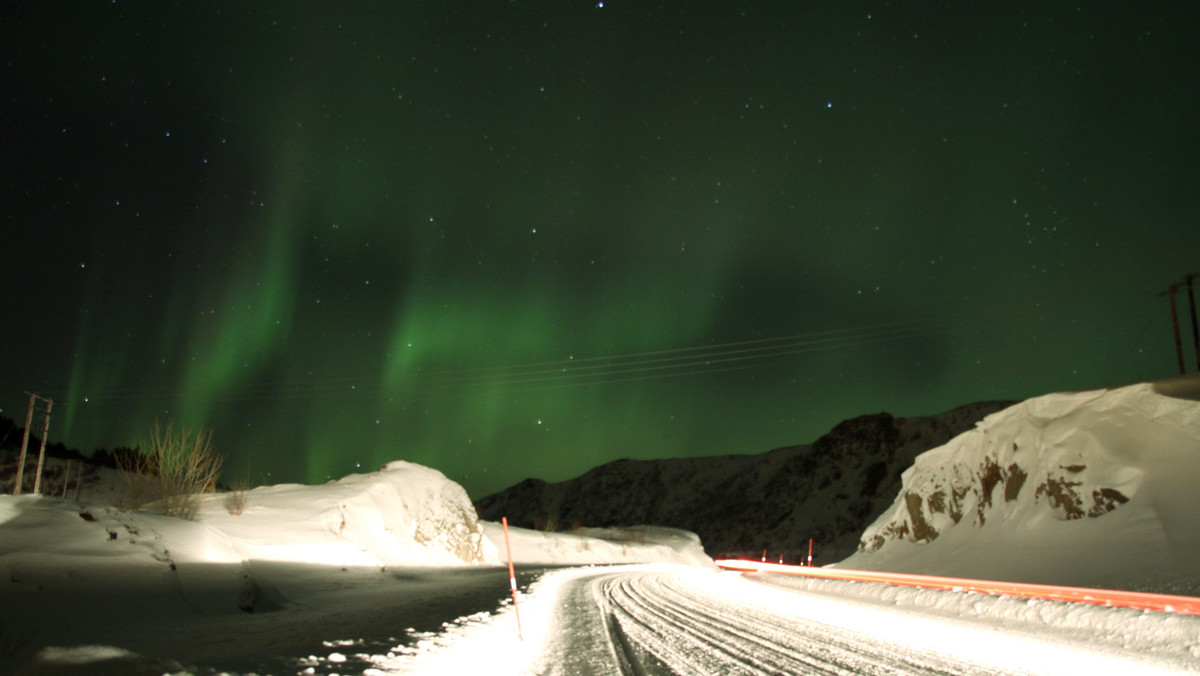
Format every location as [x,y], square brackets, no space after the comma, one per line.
[657,623]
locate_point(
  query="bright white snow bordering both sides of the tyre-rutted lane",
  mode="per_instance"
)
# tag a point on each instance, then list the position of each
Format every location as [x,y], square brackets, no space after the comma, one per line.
[1013,636]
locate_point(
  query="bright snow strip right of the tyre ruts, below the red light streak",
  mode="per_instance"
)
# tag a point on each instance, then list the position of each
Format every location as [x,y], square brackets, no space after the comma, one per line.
[1027,637]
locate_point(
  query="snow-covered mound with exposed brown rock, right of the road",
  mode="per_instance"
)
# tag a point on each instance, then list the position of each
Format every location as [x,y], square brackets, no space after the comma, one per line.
[1090,489]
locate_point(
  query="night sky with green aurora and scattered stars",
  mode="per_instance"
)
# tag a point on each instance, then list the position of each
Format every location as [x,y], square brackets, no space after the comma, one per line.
[515,240]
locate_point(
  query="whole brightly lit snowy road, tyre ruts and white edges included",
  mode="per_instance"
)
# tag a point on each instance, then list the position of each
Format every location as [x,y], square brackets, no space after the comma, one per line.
[681,620]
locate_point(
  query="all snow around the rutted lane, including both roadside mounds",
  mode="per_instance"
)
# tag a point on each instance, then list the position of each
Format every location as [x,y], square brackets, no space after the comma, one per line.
[392,572]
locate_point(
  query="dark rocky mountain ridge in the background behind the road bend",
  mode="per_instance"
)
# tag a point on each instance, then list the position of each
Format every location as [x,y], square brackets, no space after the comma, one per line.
[741,505]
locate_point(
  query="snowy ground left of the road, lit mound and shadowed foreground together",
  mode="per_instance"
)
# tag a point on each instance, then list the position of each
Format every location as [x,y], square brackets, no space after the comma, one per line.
[297,569]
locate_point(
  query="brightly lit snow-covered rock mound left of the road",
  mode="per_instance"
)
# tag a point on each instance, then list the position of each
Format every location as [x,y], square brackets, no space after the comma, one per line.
[403,516]
